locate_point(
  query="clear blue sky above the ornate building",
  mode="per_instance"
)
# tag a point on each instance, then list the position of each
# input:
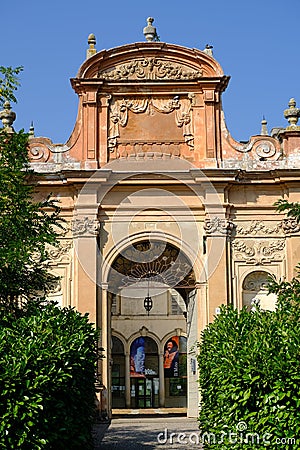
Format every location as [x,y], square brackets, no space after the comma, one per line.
[256,42]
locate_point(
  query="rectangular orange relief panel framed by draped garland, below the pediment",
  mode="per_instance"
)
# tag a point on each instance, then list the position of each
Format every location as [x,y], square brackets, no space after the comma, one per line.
[157,133]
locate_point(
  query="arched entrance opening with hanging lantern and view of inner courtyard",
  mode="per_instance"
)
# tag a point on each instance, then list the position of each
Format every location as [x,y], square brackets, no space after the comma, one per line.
[156,374]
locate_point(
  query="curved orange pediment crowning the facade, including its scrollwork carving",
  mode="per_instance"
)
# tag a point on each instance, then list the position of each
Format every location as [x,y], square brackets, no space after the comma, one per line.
[150,61]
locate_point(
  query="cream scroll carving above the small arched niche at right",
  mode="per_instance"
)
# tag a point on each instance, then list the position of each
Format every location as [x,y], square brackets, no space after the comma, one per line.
[259,251]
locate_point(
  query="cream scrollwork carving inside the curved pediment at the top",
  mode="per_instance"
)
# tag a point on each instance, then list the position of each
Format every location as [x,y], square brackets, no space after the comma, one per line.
[150,69]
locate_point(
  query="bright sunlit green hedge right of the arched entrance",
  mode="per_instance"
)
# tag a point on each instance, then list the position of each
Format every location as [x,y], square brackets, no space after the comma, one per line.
[249,366]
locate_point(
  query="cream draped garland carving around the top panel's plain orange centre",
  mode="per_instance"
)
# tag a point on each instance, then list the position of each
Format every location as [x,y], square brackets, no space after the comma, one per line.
[118,115]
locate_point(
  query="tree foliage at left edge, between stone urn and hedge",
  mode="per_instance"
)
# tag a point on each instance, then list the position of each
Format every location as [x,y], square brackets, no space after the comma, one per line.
[27,227]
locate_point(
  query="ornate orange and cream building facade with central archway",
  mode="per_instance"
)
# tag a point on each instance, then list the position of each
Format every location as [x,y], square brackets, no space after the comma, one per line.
[168,216]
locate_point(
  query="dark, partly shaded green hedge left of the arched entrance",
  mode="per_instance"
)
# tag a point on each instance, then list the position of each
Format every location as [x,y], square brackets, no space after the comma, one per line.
[47,374]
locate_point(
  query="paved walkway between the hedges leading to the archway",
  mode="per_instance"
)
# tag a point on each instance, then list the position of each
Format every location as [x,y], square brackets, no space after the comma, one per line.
[141,433]
